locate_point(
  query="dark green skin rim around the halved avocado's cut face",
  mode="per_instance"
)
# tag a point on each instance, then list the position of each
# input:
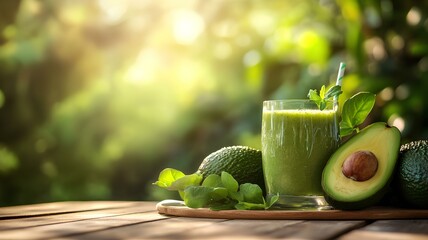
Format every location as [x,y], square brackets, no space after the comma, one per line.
[376,197]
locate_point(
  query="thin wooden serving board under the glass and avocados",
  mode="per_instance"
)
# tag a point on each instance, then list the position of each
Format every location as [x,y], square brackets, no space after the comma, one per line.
[177,208]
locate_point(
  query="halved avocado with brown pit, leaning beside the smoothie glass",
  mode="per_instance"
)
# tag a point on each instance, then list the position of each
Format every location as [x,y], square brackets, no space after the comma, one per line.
[358,173]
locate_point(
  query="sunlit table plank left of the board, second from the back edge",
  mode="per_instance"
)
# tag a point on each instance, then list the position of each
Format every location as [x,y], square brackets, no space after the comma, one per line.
[20,223]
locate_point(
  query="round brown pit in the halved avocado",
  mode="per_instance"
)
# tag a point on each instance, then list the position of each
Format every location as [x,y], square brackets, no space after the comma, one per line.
[360,166]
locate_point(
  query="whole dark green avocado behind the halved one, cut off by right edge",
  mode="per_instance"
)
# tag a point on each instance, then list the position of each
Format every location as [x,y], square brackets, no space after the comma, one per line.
[411,180]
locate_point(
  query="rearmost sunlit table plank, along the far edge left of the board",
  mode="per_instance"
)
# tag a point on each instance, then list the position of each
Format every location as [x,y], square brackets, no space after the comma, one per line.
[59,207]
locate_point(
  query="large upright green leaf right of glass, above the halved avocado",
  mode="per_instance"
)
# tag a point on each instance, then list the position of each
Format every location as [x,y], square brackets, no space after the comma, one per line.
[355,110]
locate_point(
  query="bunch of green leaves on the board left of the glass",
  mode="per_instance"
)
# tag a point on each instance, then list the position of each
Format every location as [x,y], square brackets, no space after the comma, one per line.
[215,192]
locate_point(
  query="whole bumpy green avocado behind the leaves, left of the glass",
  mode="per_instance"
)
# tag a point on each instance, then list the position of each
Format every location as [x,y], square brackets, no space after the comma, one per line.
[242,162]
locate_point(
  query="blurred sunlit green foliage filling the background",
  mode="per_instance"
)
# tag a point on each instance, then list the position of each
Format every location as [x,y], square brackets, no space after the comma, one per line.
[96,97]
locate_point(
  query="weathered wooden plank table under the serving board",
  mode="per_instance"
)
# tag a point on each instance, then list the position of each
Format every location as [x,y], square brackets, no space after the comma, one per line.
[141,220]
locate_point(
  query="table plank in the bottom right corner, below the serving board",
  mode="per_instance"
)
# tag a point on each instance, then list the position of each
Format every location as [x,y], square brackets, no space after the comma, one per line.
[391,229]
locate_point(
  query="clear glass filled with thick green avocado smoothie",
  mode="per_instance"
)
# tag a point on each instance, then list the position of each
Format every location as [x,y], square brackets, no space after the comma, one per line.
[297,141]
